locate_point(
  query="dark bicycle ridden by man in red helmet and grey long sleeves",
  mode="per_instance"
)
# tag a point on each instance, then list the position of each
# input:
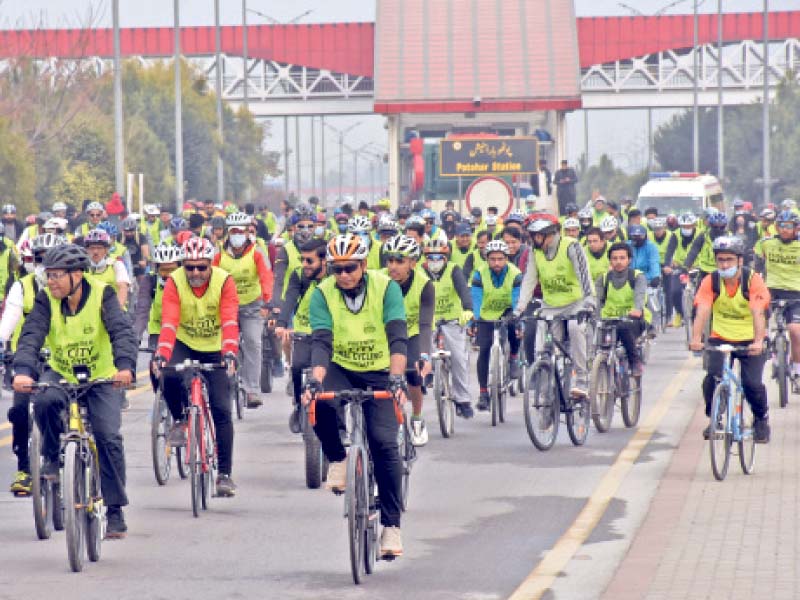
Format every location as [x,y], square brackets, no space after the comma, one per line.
[546,395]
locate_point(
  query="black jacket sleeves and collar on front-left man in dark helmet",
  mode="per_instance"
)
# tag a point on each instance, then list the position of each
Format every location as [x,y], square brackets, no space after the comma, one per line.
[37,326]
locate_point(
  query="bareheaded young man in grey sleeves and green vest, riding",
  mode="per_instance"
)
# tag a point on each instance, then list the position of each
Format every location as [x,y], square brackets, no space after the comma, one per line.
[622,292]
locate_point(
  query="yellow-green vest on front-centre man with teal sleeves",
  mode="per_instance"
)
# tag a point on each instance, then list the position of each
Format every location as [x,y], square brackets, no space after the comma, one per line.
[359,339]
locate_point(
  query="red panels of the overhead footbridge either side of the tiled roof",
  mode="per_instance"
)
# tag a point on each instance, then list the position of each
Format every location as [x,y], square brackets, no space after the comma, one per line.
[350,47]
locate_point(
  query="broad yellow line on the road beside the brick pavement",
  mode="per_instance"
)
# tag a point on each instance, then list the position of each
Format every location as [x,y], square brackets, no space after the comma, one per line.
[556,559]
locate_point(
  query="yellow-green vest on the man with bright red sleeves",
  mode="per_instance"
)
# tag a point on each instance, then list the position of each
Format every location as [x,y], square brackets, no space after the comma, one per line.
[200,327]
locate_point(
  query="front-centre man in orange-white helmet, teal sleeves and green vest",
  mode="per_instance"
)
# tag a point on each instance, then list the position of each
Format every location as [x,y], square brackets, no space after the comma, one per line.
[352,310]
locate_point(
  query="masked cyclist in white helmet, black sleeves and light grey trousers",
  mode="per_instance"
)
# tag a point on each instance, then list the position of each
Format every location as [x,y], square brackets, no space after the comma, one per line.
[453,302]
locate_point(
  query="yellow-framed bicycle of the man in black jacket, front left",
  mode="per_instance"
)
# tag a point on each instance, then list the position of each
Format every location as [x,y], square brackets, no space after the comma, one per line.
[79,477]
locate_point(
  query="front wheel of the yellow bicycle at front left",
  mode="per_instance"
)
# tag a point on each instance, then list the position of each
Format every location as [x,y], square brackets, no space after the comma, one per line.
[74,501]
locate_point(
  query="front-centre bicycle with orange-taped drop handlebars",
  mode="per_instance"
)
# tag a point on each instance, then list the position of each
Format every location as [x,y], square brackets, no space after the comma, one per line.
[362,504]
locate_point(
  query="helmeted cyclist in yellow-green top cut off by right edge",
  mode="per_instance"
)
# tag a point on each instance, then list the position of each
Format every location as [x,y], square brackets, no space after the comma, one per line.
[781,256]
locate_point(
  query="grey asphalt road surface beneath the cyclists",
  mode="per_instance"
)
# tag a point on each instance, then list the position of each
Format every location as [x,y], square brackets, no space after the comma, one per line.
[486,508]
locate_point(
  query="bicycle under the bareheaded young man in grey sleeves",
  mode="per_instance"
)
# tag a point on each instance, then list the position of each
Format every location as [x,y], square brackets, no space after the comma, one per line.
[611,379]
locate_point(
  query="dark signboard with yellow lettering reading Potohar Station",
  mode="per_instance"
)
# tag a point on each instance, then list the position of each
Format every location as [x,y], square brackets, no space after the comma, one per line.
[464,157]
